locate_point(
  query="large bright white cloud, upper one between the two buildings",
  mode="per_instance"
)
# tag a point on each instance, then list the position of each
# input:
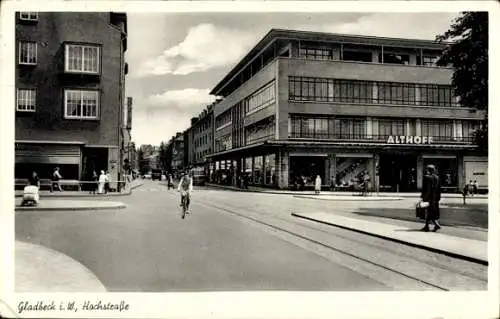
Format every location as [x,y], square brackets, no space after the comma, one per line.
[205,47]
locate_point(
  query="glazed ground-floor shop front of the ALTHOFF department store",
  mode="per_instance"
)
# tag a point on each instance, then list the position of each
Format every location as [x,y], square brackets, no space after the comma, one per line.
[384,169]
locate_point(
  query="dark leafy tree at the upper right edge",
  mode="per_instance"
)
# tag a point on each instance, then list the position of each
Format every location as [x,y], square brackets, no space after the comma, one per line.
[469,57]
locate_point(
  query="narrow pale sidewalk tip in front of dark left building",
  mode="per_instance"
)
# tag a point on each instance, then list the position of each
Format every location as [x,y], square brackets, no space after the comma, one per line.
[69,204]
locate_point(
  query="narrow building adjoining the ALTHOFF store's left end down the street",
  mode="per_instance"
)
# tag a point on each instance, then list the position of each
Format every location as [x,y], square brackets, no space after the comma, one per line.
[198,139]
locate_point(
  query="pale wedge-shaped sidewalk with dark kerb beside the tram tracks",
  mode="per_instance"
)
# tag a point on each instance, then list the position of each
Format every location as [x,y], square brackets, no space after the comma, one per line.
[457,247]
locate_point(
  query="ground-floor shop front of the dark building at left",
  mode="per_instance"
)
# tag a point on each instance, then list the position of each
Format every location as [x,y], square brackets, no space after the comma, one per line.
[76,161]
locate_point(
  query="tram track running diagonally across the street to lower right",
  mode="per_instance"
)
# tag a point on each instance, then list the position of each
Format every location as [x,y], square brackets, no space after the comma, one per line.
[399,263]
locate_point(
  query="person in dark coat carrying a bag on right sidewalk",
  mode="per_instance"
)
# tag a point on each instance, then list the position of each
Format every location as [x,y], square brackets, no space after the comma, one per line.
[431,193]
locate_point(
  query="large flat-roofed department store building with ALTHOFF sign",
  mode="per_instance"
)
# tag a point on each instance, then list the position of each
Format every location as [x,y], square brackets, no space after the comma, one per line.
[302,104]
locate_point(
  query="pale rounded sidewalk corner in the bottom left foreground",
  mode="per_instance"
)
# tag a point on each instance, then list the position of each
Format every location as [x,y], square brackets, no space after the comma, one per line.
[40,269]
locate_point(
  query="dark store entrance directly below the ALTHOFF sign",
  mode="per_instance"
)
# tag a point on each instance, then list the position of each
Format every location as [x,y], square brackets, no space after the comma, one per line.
[398,173]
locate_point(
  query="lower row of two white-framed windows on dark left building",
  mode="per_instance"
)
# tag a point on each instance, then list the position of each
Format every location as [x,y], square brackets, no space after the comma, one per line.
[78,104]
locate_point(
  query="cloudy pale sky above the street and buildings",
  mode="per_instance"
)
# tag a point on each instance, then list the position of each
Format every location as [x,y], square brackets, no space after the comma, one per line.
[175,59]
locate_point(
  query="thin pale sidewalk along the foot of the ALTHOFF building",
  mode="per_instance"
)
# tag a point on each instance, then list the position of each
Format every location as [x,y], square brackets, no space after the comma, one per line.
[330,193]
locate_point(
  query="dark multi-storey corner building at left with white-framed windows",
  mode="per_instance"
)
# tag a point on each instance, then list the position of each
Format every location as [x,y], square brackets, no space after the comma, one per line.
[70,84]
